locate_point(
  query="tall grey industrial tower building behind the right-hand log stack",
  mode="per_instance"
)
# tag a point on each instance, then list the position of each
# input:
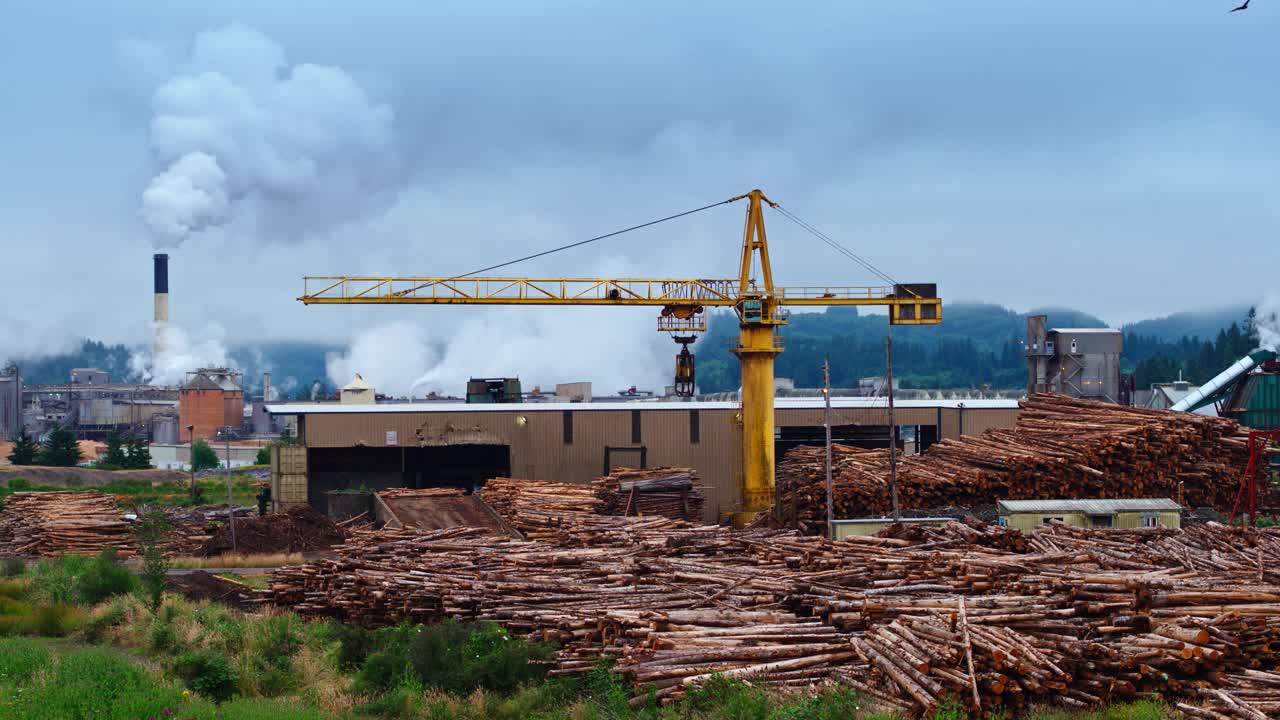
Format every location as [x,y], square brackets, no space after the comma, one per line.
[1076,362]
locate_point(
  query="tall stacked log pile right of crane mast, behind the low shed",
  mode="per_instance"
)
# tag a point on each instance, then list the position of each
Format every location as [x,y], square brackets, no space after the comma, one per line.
[1062,448]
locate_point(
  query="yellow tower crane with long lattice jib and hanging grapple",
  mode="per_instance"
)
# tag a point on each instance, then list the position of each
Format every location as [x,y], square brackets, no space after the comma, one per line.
[761,308]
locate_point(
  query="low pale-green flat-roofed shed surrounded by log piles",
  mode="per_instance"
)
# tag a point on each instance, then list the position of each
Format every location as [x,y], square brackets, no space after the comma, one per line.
[1027,516]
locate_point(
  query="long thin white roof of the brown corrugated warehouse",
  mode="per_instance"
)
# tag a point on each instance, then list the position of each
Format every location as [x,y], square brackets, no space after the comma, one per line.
[781,404]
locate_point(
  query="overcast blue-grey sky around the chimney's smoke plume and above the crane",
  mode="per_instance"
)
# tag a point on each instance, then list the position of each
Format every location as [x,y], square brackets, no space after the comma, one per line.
[1119,158]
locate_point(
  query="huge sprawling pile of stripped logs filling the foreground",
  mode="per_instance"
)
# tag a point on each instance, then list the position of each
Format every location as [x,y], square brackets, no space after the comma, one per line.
[984,616]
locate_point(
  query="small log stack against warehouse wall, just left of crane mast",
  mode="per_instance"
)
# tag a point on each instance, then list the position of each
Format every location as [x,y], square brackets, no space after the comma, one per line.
[671,493]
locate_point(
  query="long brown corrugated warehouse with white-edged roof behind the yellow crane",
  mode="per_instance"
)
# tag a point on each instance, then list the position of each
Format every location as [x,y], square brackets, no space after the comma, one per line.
[428,445]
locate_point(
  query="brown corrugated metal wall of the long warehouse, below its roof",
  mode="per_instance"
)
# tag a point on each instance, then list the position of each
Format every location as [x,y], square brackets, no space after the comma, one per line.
[540,450]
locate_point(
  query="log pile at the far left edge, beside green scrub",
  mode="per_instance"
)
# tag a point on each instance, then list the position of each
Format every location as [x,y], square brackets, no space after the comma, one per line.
[60,523]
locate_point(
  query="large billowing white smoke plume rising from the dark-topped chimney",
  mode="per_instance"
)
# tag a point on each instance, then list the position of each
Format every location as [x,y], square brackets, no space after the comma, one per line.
[244,134]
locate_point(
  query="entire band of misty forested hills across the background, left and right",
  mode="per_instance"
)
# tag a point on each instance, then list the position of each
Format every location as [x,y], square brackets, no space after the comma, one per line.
[976,345]
